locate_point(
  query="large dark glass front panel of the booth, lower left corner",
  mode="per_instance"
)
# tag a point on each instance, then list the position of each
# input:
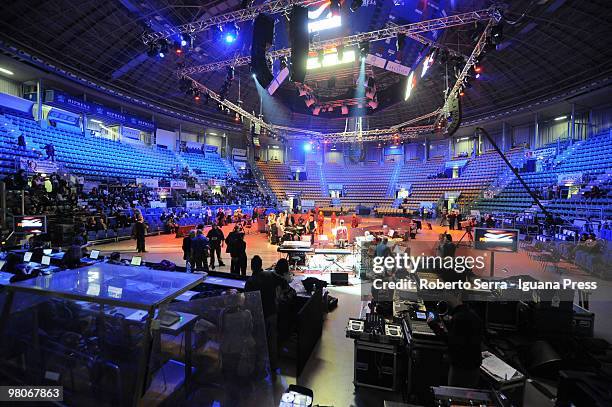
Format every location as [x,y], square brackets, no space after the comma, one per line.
[93,352]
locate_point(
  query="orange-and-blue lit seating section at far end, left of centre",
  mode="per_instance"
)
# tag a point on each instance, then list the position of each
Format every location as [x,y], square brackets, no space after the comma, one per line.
[279,178]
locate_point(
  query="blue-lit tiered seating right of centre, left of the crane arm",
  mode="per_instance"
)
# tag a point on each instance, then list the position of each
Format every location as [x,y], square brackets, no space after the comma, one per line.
[476,176]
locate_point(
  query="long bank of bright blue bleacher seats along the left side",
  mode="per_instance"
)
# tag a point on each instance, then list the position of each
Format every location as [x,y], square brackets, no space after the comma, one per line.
[97,158]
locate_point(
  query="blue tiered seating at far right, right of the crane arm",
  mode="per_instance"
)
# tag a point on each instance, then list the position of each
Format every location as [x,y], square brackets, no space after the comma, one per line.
[591,157]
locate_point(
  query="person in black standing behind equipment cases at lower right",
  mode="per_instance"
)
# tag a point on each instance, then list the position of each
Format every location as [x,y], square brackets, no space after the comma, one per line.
[463,330]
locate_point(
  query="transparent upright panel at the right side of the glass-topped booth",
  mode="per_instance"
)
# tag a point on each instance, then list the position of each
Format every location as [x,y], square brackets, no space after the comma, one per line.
[229,353]
